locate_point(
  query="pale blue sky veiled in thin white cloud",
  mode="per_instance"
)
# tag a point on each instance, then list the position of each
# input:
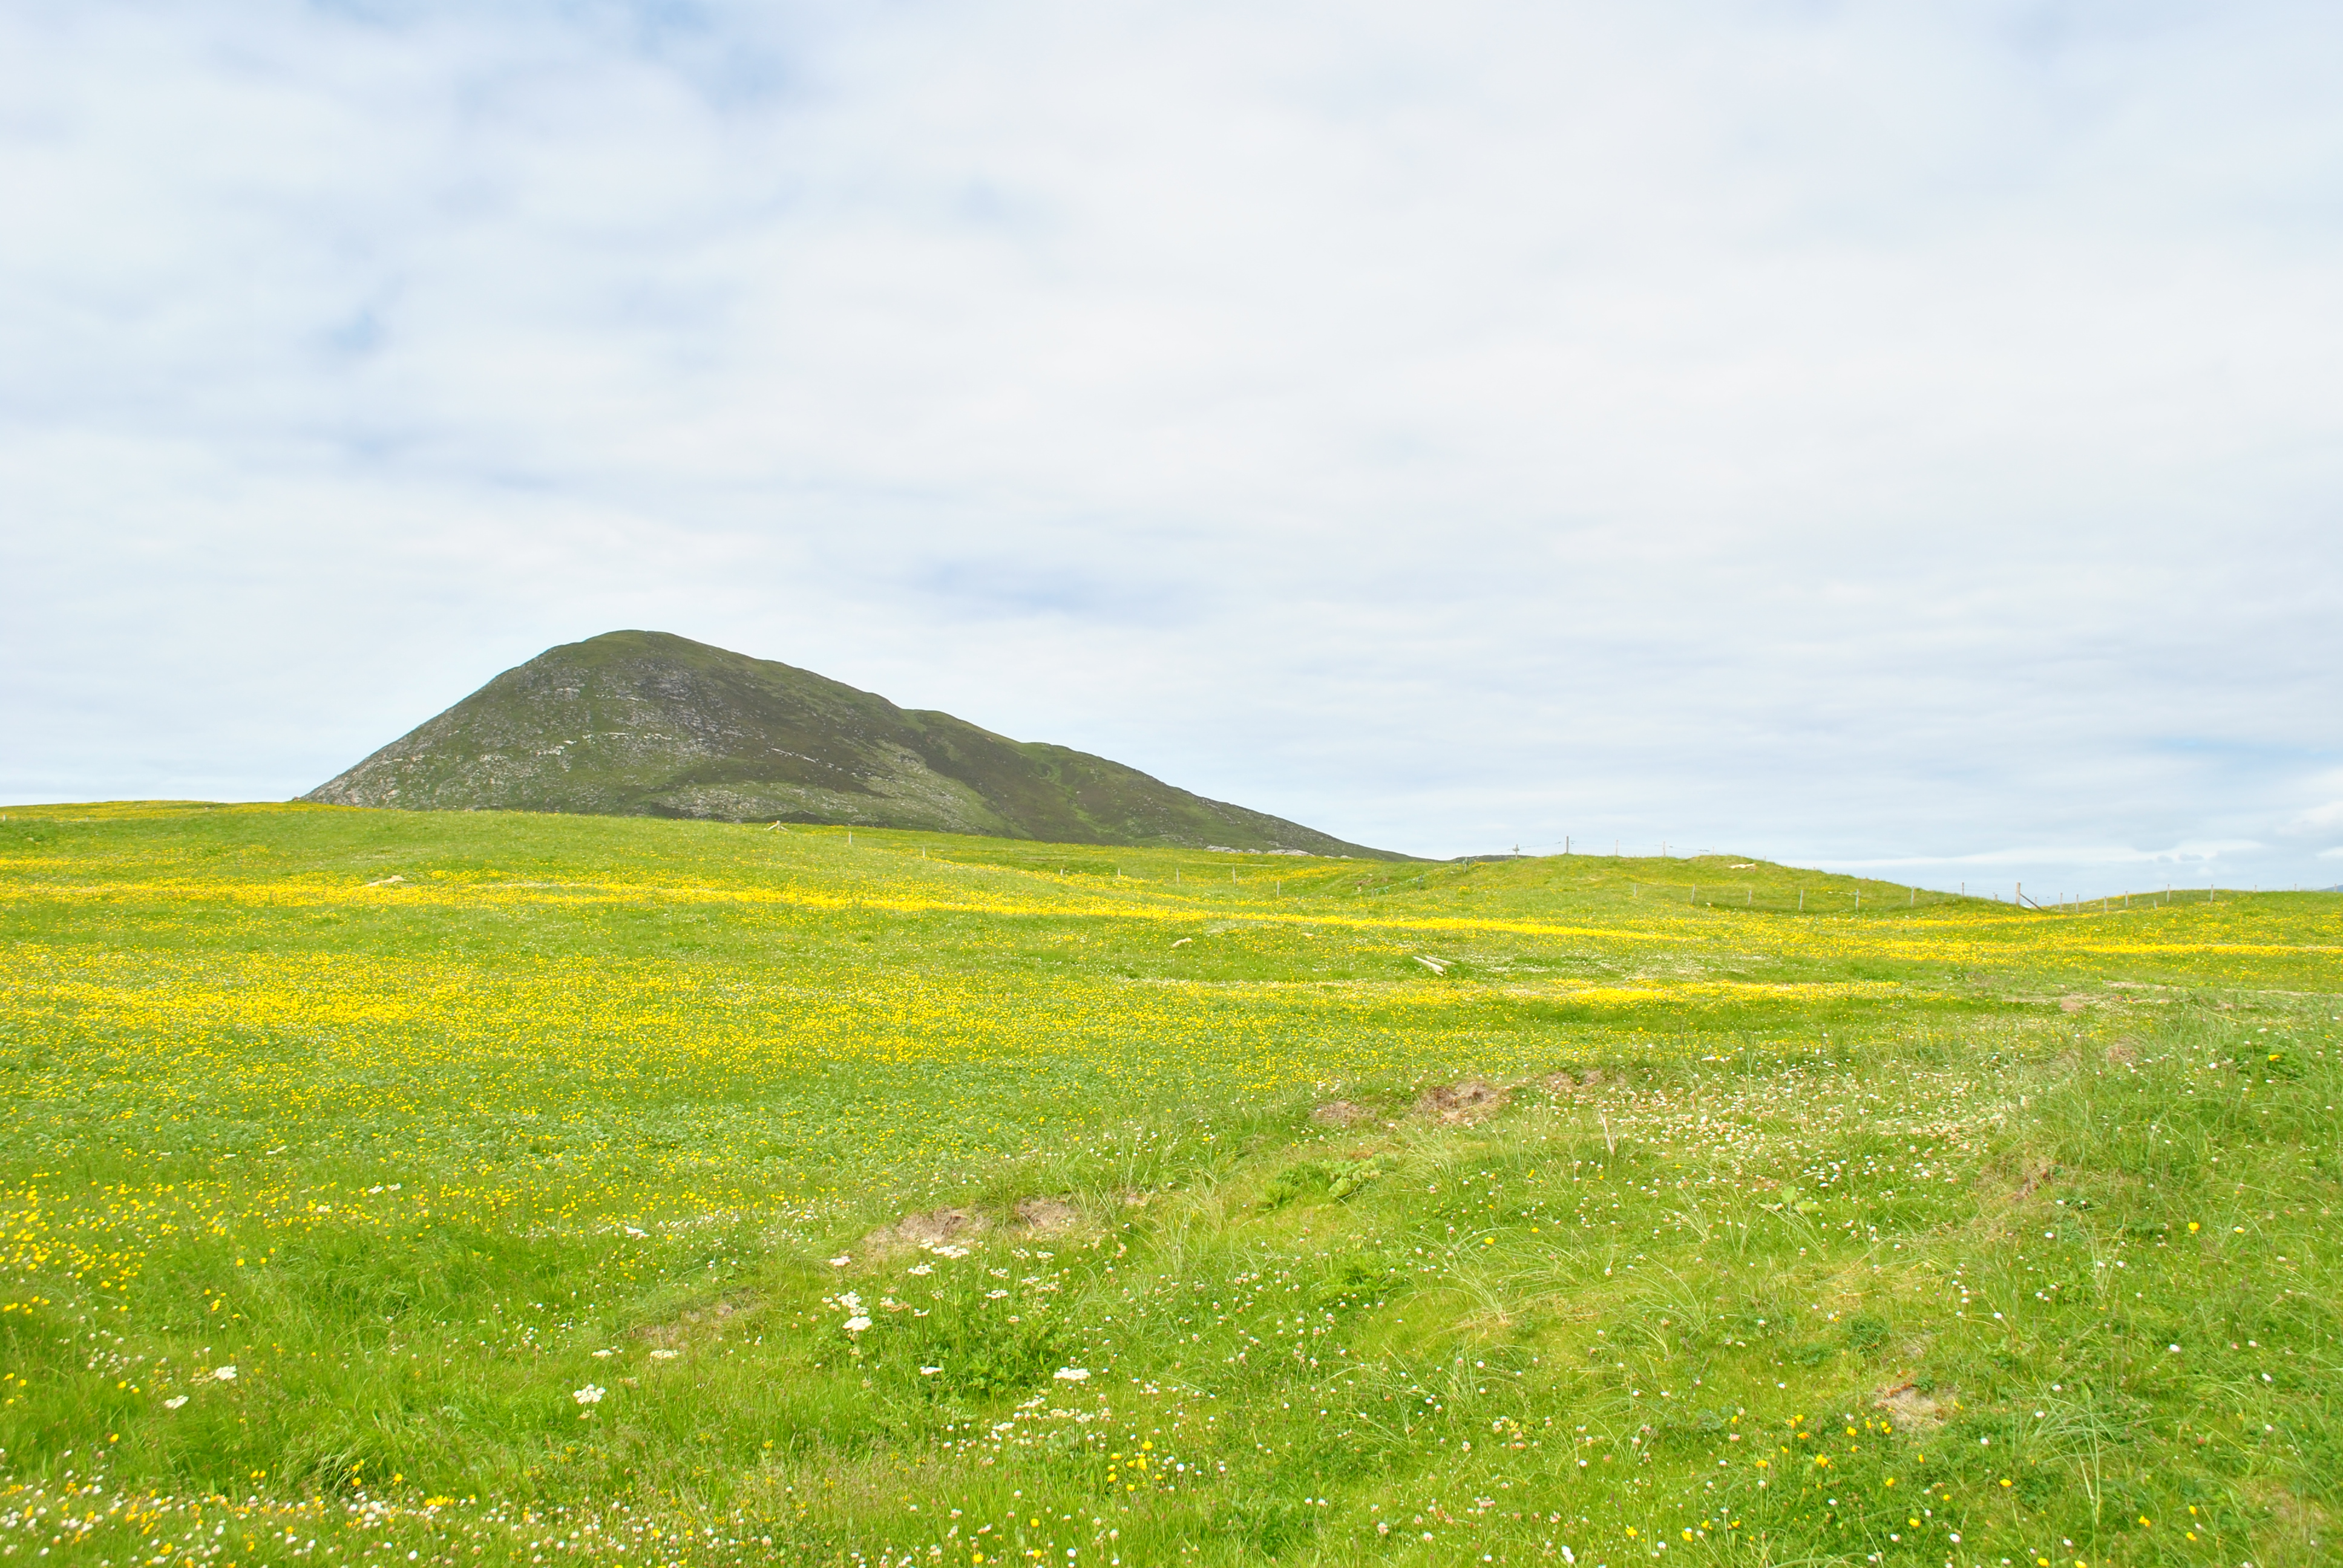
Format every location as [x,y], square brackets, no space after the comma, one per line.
[1897,439]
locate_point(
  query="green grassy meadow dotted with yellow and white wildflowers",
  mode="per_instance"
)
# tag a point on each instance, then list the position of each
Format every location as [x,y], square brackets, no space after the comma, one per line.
[540,1189]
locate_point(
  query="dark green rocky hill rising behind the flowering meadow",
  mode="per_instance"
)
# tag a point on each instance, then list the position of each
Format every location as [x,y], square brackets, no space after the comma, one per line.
[643,723]
